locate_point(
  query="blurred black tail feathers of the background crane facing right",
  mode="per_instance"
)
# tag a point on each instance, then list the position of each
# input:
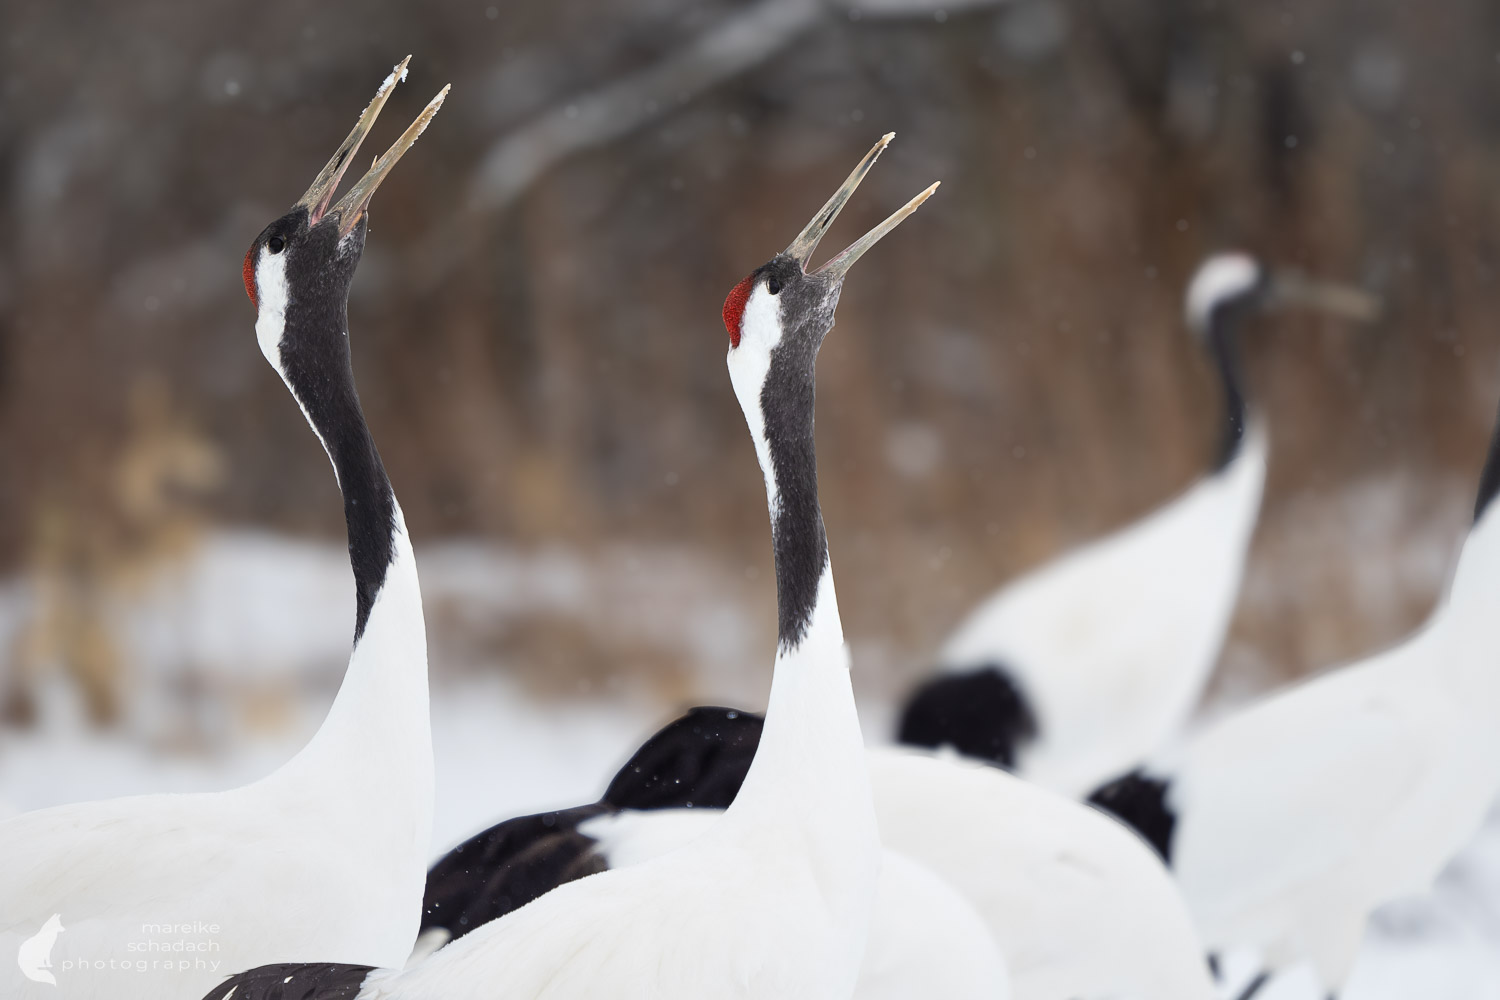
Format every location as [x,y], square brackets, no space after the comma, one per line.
[980,713]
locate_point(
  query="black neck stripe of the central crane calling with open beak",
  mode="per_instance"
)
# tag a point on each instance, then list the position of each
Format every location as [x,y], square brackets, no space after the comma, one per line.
[797,527]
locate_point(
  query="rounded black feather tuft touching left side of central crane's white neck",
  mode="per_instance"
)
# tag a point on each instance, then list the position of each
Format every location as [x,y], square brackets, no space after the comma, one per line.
[697,761]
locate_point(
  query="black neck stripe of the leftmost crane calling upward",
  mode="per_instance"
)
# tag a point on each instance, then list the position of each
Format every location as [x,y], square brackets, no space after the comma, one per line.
[316,359]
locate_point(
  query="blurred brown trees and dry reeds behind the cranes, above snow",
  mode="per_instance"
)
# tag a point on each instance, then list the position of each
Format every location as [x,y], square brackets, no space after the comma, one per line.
[536,320]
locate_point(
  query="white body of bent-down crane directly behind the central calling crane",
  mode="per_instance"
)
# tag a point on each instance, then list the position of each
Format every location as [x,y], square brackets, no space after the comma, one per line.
[1081,906]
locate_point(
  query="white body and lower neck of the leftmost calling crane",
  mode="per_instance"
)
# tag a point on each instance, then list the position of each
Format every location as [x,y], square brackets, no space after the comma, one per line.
[322,861]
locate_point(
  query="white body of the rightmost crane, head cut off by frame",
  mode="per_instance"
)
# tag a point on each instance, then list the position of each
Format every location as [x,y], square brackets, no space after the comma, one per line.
[1301,815]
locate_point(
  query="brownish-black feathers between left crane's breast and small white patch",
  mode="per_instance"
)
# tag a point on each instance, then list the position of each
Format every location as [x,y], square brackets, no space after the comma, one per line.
[508,867]
